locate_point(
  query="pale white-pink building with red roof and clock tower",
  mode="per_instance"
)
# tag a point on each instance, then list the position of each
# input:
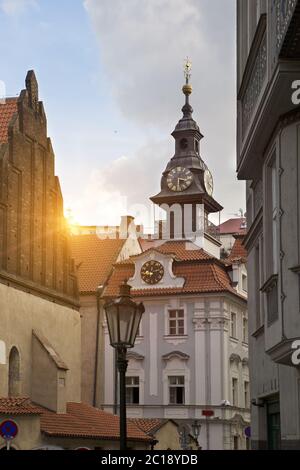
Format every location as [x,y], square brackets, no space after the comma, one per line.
[190,359]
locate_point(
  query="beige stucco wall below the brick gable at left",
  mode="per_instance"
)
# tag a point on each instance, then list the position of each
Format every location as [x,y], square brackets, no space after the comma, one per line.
[20,314]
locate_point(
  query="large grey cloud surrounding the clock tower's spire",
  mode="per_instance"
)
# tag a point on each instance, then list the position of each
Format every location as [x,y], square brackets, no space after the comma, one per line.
[143,44]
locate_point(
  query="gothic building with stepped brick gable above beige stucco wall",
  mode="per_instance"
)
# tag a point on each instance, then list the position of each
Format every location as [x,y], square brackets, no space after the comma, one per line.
[39,318]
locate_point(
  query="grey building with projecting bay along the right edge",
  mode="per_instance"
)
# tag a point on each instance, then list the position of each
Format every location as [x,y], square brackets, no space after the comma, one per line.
[268,52]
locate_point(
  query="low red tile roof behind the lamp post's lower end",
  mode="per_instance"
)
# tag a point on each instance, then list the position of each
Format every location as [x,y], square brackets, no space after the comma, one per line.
[82,420]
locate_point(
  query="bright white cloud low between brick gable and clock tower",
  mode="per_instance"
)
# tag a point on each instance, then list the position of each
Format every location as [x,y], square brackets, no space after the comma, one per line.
[122,187]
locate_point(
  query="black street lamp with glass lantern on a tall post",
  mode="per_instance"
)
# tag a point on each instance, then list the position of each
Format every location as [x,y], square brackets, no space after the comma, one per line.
[123,319]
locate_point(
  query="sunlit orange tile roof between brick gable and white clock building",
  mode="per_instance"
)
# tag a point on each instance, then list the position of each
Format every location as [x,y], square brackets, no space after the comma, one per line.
[94,259]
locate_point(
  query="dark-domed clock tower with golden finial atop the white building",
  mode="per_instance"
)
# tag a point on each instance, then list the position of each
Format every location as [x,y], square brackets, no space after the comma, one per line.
[187,185]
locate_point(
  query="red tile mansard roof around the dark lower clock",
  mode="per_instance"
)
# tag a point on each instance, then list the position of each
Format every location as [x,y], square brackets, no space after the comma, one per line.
[202,273]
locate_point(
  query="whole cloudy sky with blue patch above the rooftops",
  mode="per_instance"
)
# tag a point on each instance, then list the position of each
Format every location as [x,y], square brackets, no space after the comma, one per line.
[110,74]
